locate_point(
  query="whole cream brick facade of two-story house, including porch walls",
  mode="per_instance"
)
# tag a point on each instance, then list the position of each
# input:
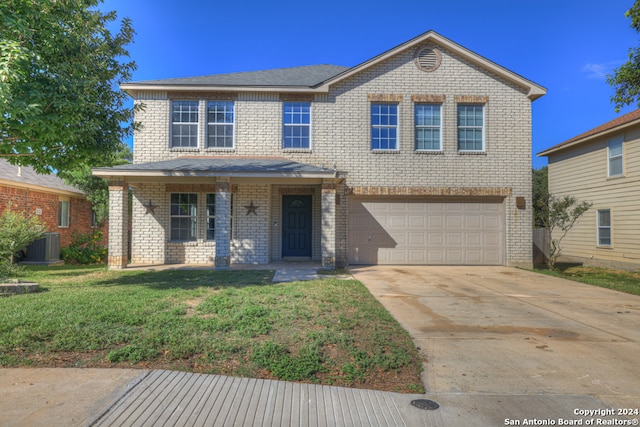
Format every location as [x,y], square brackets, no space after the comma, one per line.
[341,136]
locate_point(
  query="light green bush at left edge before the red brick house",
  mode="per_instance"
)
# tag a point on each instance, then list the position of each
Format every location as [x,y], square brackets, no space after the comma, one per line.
[17,230]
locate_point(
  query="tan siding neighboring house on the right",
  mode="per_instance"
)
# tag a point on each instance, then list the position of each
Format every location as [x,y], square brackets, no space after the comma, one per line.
[601,166]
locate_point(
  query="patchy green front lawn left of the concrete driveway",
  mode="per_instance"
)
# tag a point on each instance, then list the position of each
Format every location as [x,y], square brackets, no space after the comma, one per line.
[328,331]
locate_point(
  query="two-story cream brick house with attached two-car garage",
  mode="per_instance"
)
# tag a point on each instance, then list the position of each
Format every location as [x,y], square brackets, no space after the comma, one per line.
[420,155]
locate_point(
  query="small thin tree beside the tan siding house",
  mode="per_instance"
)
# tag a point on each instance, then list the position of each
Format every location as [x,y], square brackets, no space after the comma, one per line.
[562,214]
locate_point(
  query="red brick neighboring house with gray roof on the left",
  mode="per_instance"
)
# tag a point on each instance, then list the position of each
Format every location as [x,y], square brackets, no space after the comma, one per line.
[62,208]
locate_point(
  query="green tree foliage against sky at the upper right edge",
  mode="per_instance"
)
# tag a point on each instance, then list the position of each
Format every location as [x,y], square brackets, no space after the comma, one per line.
[626,79]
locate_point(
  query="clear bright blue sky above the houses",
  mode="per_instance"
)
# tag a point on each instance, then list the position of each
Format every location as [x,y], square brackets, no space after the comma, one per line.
[567,46]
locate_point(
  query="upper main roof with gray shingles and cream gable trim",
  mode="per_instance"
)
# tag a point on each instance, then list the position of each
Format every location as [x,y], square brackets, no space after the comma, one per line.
[318,78]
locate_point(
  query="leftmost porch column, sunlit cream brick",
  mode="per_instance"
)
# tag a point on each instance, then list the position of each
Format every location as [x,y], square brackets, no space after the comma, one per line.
[118,225]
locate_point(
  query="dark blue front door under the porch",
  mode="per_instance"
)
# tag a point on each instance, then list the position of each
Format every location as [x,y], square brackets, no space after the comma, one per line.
[296,226]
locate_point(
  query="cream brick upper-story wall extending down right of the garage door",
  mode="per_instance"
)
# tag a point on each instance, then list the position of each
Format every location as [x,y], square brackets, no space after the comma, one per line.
[341,134]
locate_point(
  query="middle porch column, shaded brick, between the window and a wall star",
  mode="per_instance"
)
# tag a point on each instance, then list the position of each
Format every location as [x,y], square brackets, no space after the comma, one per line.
[223,224]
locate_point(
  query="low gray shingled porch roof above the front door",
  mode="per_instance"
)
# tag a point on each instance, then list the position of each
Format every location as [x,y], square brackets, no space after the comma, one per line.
[212,166]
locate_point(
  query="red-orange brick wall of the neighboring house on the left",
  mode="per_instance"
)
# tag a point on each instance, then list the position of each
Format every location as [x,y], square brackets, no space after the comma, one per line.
[32,202]
